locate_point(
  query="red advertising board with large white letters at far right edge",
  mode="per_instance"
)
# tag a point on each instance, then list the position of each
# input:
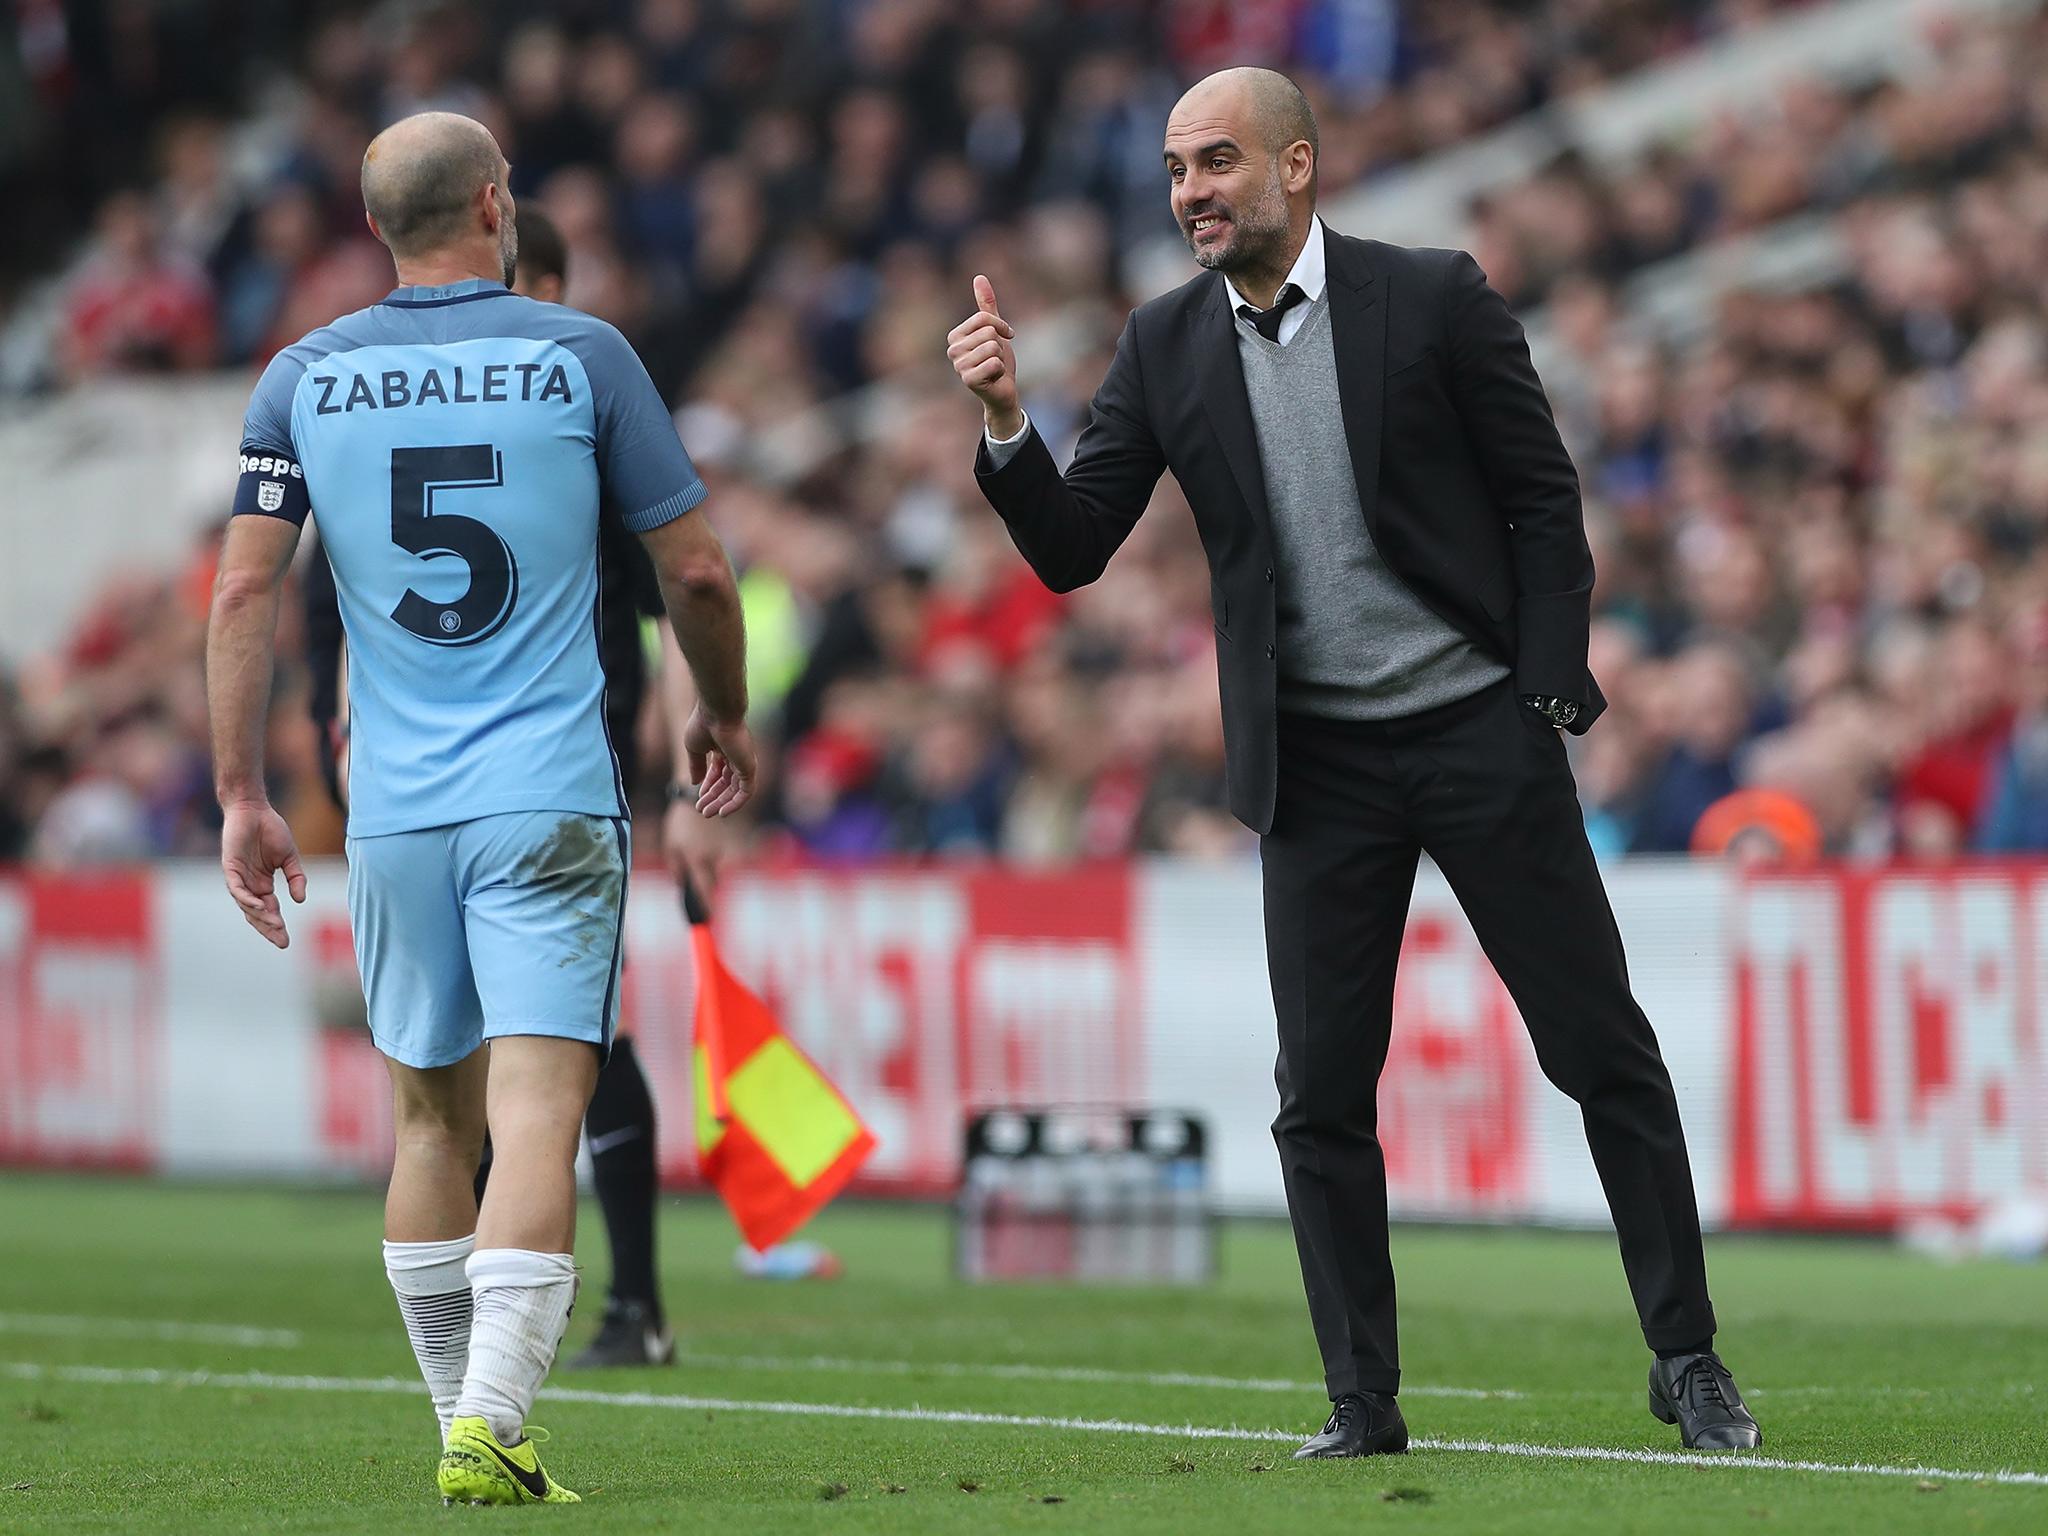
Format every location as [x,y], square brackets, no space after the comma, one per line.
[1887,1046]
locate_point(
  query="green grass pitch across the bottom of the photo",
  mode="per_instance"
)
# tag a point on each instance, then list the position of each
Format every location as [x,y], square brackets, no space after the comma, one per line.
[181,1359]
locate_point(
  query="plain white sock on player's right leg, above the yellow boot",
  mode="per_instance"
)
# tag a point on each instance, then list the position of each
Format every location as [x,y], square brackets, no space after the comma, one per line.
[519,1314]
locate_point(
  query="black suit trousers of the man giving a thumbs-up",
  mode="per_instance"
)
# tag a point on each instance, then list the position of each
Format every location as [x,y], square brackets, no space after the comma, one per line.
[1486,792]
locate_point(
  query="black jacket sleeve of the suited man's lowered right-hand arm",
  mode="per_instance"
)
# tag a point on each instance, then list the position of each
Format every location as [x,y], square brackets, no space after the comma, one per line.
[1533,484]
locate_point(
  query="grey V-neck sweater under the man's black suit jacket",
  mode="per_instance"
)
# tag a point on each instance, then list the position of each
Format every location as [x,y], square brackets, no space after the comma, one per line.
[1355,642]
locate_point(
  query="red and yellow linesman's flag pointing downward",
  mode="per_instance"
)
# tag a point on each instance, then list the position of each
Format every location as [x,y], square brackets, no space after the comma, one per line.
[773,1136]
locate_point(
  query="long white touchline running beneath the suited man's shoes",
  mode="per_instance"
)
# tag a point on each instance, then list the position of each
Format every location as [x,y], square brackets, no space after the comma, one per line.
[392,1385]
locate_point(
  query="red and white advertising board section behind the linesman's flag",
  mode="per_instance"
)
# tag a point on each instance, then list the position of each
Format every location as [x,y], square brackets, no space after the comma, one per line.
[921,996]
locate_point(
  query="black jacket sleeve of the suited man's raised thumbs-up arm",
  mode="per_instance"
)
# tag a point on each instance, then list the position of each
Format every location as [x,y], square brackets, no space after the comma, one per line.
[1070,525]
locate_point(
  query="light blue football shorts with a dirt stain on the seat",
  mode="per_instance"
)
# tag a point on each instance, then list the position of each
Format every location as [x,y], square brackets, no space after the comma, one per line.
[509,925]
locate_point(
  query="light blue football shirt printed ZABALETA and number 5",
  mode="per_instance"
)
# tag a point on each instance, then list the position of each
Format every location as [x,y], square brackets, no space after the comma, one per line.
[456,447]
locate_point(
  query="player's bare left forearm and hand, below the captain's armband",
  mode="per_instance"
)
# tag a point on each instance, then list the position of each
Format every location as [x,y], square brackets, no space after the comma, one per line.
[241,638]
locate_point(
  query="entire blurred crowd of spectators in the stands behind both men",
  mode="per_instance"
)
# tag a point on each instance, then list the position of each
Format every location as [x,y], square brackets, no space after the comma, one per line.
[1822,611]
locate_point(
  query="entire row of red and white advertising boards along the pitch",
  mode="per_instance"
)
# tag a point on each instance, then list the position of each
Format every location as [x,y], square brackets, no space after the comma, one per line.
[1852,1050]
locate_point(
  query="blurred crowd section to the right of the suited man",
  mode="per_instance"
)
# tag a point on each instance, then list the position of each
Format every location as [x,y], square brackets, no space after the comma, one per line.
[1820,527]
